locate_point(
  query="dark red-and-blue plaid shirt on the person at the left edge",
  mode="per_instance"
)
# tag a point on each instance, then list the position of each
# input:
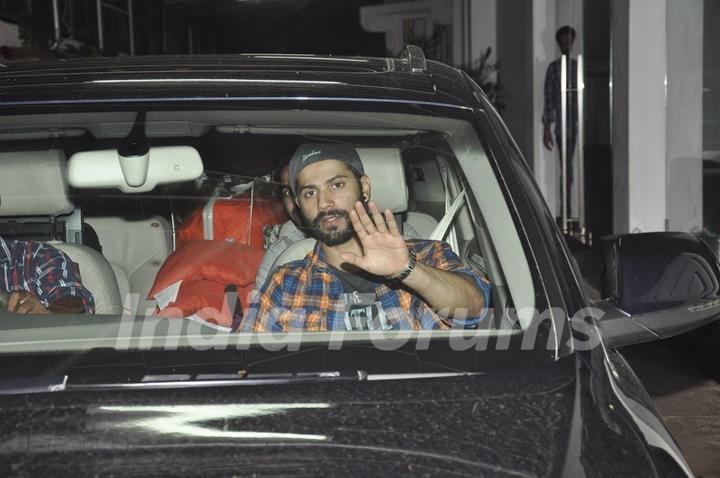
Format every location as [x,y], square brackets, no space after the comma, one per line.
[42,270]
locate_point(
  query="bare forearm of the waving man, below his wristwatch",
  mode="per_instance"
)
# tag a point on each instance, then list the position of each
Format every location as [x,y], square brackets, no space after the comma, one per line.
[446,291]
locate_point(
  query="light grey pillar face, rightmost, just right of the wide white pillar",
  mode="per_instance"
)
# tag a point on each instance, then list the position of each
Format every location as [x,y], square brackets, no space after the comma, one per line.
[684,114]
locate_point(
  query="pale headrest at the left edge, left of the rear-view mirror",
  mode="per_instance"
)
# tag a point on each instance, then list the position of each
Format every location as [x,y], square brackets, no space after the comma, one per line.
[32,183]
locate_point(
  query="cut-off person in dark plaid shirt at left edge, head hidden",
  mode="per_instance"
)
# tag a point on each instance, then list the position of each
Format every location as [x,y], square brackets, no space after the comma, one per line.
[41,279]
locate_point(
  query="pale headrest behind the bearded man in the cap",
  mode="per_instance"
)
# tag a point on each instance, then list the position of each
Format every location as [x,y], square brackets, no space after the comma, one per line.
[385,169]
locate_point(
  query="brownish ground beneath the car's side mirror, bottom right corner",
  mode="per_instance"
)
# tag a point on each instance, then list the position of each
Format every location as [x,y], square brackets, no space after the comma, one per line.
[688,399]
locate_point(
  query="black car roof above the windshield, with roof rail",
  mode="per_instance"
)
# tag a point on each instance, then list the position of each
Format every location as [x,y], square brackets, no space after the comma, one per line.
[253,76]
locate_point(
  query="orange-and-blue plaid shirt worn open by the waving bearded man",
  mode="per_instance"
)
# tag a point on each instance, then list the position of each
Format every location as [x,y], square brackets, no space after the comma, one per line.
[307,295]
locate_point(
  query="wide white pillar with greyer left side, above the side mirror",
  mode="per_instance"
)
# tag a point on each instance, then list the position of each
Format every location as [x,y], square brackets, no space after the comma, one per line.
[639,57]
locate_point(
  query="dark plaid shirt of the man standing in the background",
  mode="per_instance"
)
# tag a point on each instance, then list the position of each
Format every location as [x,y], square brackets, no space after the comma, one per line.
[552,112]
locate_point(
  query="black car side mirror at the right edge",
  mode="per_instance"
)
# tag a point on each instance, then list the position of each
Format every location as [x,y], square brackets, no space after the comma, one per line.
[657,285]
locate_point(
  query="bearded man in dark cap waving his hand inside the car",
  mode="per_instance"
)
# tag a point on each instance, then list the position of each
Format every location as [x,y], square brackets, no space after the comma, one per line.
[362,274]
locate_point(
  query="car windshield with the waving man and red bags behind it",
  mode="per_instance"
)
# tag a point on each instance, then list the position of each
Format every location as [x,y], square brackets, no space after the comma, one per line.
[185,227]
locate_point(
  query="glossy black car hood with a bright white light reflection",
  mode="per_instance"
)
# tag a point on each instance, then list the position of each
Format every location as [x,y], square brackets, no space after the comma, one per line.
[519,422]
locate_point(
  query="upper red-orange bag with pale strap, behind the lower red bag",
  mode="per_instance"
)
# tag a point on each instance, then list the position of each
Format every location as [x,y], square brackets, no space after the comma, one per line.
[233,220]
